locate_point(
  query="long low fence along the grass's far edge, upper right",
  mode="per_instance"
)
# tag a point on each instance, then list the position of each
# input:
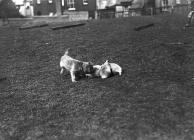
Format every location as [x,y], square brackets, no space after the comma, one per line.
[112,13]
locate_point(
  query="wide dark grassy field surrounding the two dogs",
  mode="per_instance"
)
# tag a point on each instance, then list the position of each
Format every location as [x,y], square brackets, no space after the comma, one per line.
[152,100]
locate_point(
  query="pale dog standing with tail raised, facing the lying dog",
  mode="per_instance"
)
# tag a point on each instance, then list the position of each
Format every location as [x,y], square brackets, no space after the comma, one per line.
[75,67]
